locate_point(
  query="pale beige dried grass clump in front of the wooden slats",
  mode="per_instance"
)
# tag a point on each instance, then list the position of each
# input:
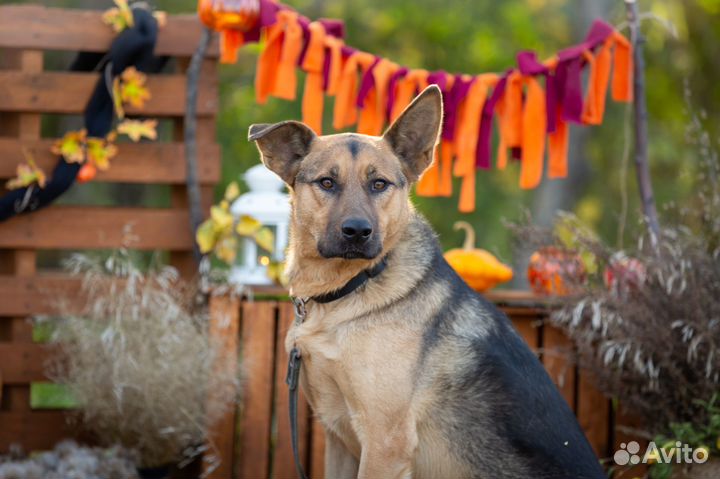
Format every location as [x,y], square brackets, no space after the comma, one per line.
[139,360]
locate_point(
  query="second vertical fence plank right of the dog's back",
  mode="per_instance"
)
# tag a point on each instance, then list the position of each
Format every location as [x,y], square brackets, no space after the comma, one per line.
[556,348]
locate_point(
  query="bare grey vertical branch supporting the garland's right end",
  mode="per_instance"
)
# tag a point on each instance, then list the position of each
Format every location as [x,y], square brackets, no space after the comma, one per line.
[641,134]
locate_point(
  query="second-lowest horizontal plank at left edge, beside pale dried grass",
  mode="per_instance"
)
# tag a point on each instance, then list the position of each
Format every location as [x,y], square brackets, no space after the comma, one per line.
[23,363]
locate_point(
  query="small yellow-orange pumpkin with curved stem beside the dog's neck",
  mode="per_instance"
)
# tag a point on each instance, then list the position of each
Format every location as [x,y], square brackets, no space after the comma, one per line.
[479,268]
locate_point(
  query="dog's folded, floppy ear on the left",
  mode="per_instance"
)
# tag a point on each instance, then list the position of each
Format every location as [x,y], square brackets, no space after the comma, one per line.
[282,146]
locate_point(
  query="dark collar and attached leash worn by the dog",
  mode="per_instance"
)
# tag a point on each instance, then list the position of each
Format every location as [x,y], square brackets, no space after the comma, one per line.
[295,359]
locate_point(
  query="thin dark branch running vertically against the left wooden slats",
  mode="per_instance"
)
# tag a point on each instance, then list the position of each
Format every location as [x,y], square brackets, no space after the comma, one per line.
[193,187]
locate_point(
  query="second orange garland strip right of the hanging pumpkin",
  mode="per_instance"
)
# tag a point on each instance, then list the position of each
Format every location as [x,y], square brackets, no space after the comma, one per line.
[286,79]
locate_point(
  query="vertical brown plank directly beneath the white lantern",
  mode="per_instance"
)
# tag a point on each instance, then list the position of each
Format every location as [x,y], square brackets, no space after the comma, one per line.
[258,335]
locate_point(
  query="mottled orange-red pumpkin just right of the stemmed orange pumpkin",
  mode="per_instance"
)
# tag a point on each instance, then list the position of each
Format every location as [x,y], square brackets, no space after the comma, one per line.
[553,271]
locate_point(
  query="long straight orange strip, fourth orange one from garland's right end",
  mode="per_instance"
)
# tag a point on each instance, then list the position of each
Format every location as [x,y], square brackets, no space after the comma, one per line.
[534,127]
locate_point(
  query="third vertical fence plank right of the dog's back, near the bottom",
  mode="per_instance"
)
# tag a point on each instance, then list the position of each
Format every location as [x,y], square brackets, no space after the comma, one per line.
[593,414]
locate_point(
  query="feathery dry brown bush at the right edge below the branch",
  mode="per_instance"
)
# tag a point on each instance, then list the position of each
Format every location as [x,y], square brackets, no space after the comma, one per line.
[654,344]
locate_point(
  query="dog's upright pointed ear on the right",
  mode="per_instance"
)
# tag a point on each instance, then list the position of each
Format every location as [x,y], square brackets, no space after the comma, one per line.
[414,134]
